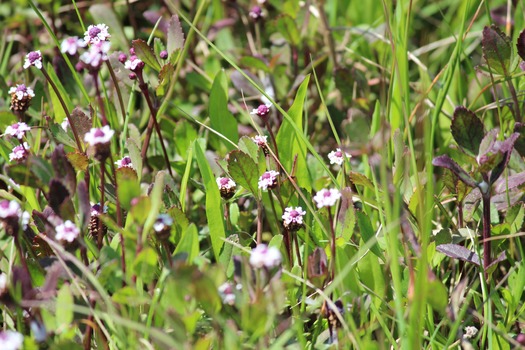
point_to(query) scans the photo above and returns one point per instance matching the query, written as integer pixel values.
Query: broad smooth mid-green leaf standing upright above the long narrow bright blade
(221, 119)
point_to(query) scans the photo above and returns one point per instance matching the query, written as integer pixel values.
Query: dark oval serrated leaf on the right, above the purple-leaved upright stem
(467, 130)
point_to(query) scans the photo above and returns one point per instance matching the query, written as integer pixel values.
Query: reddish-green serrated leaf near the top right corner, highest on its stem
(497, 50)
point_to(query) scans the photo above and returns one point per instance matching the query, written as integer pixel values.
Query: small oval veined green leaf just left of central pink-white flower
(243, 170)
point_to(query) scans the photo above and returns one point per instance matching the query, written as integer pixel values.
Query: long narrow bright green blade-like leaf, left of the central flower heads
(214, 212)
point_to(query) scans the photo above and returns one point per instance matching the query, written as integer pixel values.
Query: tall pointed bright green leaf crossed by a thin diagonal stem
(290, 144)
